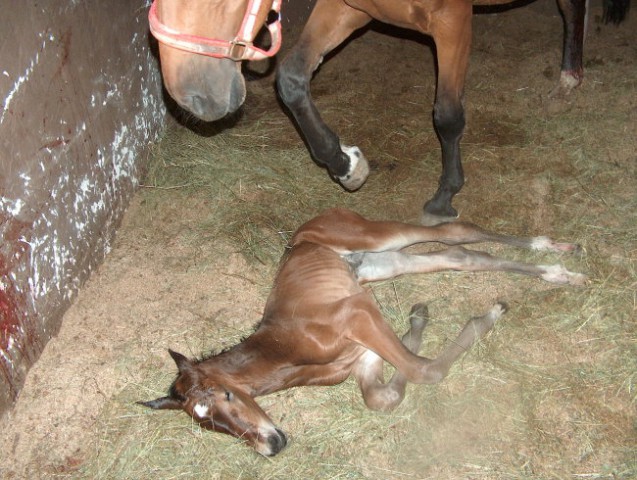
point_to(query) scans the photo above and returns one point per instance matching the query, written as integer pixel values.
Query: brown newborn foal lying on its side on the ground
(321, 326)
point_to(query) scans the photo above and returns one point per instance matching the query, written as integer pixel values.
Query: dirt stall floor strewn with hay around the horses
(549, 394)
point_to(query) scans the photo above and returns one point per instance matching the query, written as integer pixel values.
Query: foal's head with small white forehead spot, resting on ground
(221, 407)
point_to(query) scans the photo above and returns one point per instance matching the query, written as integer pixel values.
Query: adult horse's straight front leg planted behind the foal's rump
(451, 30)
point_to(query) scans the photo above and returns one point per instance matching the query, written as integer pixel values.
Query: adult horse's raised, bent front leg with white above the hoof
(330, 23)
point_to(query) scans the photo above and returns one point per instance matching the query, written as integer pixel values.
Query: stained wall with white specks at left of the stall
(81, 99)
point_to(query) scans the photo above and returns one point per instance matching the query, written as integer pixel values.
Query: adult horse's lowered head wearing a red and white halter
(201, 45)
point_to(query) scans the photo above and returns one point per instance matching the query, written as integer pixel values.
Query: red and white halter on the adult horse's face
(240, 48)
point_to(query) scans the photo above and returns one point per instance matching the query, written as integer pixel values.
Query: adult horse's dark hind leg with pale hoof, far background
(574, 13)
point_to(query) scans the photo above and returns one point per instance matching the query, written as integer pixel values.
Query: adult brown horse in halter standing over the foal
(200, 53)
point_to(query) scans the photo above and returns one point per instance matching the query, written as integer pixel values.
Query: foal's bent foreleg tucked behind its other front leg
(377, 394)
